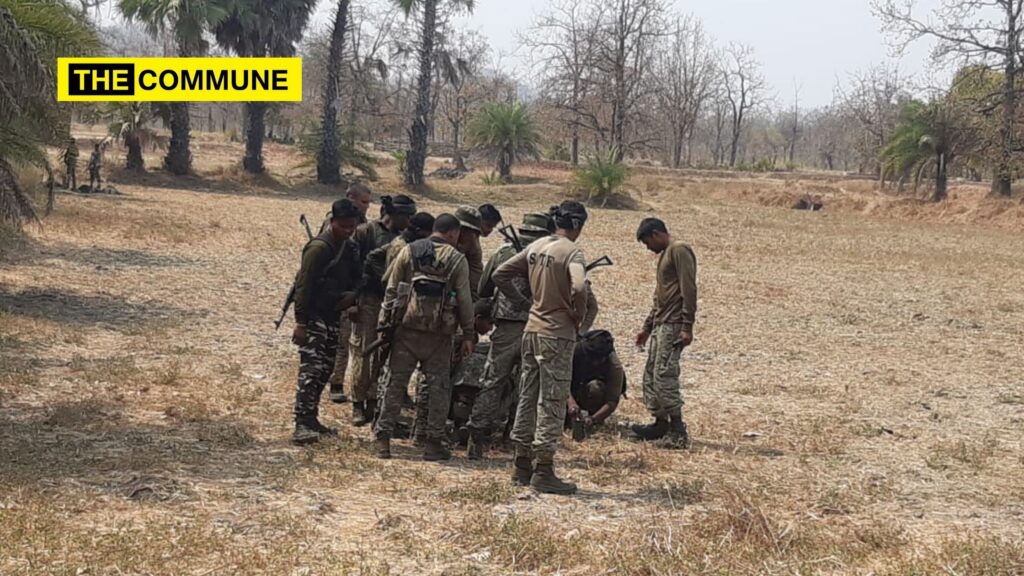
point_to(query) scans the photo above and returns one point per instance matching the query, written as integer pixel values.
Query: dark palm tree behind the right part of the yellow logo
(265, 28)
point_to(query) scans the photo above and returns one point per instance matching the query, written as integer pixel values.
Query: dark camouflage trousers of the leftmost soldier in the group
(316, 364)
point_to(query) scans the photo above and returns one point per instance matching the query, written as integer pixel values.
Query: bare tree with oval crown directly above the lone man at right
(685, 77)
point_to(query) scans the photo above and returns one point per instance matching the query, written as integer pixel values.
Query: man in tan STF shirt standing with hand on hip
(558, 276)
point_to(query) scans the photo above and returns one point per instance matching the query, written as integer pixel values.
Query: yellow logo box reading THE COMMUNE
(180, 79)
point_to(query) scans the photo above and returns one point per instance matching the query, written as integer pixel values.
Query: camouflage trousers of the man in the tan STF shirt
(544, 391)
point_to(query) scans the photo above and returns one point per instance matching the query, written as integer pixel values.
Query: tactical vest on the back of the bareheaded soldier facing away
(433, 304)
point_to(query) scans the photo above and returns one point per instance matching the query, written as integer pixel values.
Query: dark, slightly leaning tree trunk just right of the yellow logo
(328, 160)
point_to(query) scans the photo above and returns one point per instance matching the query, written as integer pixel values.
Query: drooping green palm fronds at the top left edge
(33, 34)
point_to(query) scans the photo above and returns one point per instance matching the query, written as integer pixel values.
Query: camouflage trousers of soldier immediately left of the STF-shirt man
(506, 353)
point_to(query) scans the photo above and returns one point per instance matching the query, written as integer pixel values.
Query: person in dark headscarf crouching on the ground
(599, 380)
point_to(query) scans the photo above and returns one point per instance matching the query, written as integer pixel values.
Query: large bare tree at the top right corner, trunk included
(971, 32)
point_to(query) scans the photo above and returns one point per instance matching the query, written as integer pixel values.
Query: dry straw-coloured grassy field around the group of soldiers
(857, 392)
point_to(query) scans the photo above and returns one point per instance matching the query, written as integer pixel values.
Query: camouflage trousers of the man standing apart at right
(661, 379)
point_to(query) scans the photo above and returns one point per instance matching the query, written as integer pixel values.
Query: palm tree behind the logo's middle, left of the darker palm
(188, 20)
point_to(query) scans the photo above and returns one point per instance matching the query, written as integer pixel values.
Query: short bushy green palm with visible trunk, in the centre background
(507, 133)
